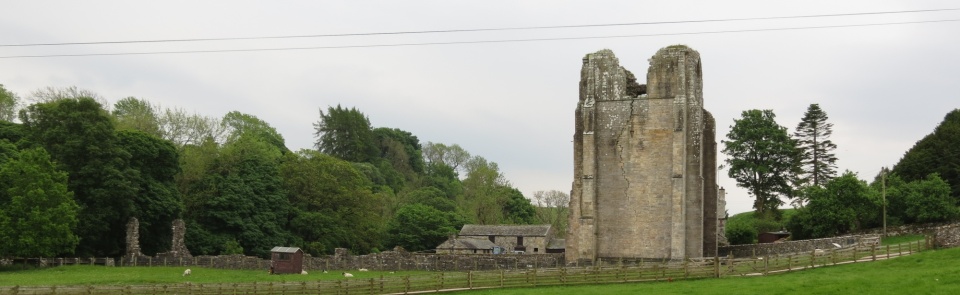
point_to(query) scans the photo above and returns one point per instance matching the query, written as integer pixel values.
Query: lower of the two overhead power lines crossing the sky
(476, 42)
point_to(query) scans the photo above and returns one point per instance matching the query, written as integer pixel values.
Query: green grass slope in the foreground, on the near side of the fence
(930, 272)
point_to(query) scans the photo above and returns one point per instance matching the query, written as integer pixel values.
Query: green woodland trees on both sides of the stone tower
(74, 169)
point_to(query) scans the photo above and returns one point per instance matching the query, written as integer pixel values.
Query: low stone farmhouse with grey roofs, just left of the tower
(503, 239)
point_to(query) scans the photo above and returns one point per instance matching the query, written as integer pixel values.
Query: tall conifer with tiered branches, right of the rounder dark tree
(818, 163)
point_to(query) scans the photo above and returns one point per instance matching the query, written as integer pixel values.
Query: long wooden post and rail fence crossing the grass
(710, 267)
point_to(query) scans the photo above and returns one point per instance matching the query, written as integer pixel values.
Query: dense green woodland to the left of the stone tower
(74, 170)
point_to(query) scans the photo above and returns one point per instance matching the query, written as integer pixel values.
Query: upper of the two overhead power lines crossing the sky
(478, 30)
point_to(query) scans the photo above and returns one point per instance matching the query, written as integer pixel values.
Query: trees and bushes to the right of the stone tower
(773, 165)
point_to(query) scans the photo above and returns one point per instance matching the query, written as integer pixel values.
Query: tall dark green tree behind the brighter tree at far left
(80, 136)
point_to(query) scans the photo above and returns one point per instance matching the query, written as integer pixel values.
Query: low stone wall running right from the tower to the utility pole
(755, 250)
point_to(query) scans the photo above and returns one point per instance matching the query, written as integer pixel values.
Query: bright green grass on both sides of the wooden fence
(929, 272)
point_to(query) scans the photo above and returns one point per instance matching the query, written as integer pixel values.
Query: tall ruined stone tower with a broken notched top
(644, 162)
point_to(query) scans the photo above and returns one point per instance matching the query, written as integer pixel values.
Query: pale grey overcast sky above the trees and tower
(884, 87)
